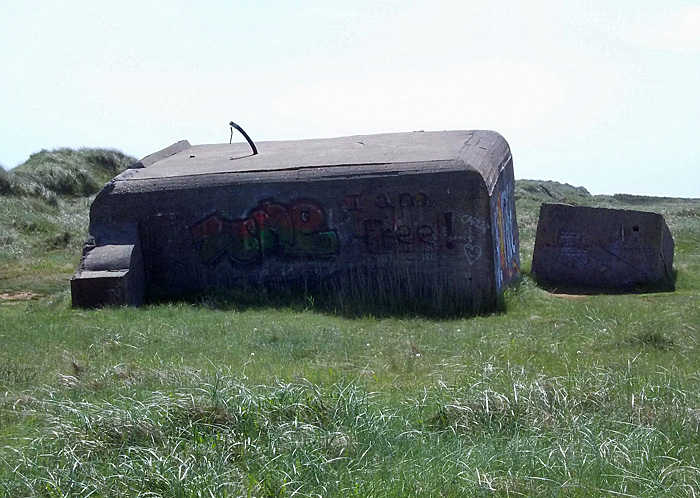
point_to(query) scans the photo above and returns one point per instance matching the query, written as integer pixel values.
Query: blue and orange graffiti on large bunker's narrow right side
(503, 213)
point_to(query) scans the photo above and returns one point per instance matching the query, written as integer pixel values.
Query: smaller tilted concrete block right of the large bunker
(602, 248)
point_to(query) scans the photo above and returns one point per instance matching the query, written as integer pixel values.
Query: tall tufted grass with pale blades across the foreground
(506, 433)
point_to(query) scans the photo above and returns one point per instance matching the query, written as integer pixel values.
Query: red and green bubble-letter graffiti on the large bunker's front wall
(298, 229)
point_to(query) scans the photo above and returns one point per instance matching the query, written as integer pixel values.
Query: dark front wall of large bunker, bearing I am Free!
(422, 239)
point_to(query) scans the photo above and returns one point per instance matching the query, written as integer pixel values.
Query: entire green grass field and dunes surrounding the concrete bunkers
(567, 396)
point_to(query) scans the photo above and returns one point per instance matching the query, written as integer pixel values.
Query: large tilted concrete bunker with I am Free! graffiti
(422, 218)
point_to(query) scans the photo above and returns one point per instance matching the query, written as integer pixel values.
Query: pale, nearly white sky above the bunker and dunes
(603, 94)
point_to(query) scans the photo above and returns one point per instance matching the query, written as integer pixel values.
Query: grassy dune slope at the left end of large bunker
(44, 206)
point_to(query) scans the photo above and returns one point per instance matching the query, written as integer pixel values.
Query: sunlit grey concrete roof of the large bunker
(485, 152)
